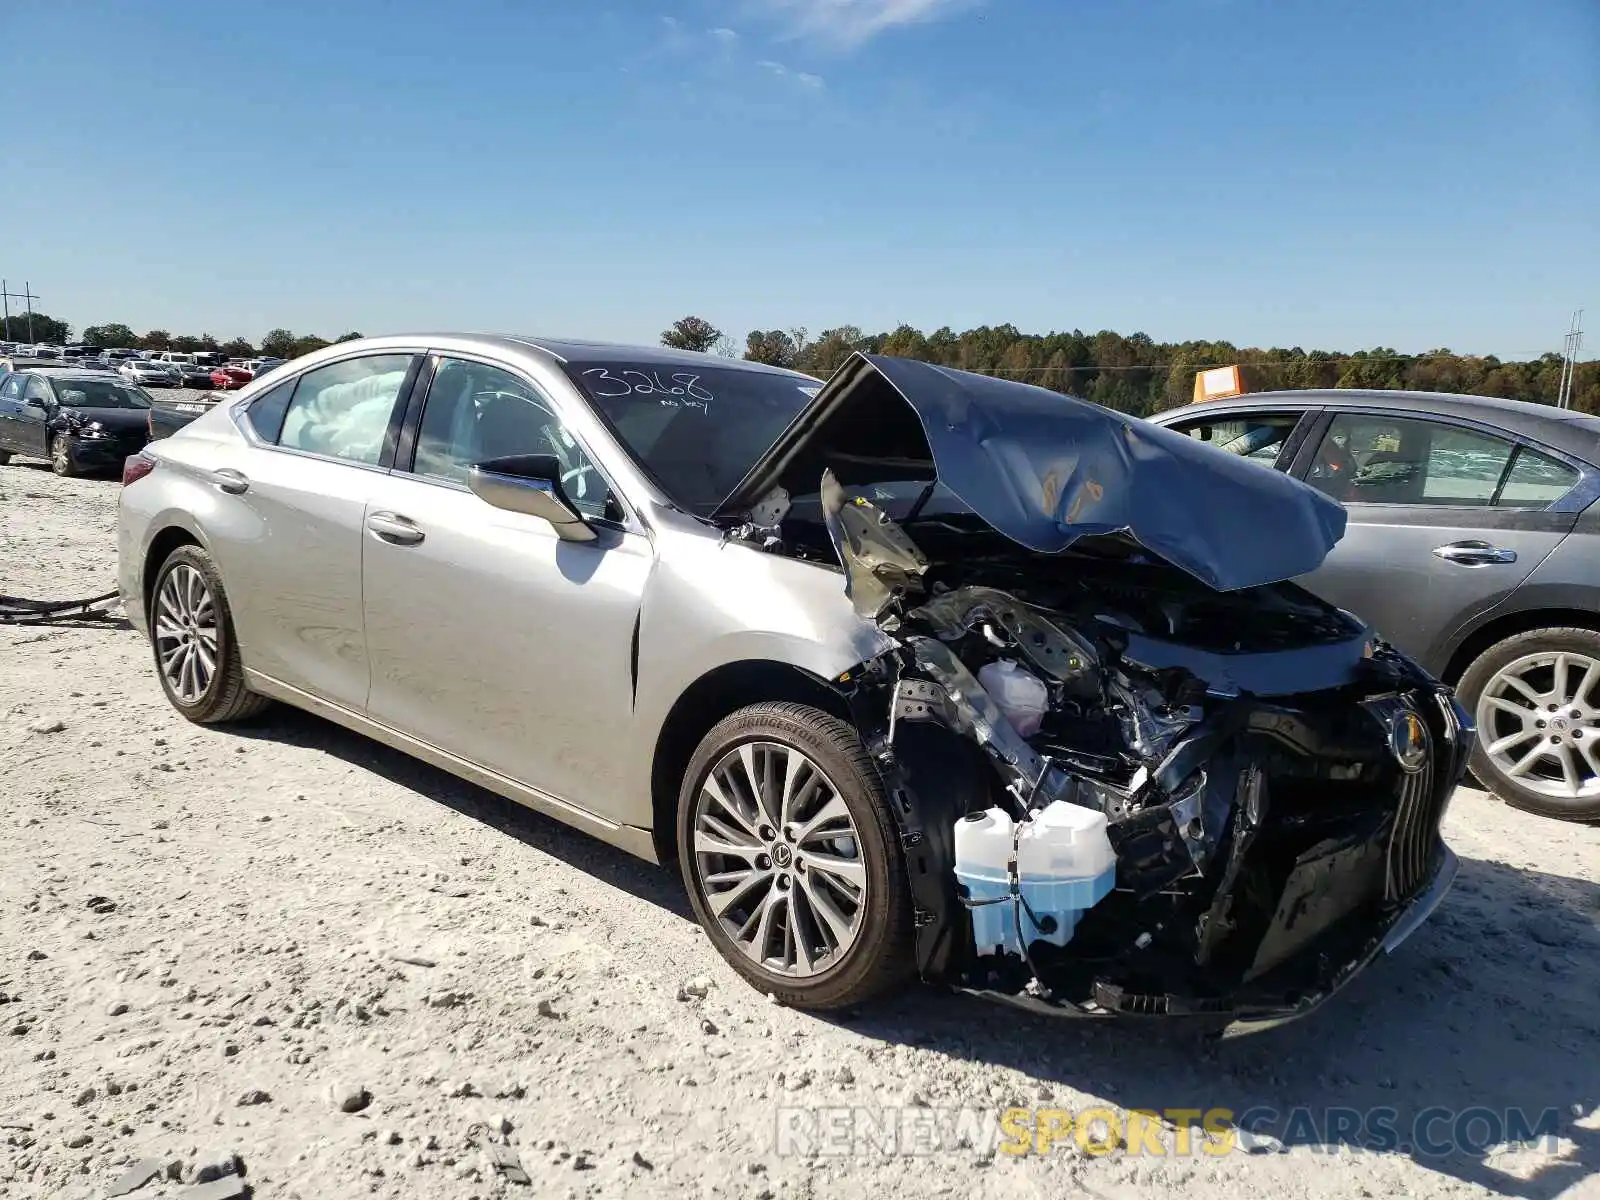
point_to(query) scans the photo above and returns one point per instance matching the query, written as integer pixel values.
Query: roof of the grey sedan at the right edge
(1561, 428)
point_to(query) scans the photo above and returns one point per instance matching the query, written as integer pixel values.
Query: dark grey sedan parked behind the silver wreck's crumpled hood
(1471, 545)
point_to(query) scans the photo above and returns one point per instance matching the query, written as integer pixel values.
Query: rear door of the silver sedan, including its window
(289, 529)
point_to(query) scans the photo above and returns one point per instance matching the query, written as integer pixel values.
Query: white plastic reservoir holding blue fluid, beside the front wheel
(1065, 866)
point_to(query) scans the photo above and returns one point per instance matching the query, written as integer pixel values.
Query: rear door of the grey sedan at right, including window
(1446, 521)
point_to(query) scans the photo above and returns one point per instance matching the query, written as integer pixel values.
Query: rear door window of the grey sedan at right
(1383, 460)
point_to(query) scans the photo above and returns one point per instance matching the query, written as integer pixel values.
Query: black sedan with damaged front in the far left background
(79, 420)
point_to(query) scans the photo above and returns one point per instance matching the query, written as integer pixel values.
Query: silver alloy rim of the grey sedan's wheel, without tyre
(1540, 724)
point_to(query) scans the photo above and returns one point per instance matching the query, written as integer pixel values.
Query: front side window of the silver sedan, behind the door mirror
(476, 414)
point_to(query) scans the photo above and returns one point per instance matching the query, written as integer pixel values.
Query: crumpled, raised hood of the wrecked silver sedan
(1047, 470)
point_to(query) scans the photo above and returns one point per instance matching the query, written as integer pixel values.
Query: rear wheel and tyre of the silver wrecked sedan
(193, 638)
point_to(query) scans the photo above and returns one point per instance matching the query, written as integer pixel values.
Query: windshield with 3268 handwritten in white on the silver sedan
(695, 430)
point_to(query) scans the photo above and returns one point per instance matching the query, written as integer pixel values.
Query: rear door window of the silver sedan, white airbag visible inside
(343, 410)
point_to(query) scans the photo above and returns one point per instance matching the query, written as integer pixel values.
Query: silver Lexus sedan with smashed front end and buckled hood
(913, 674)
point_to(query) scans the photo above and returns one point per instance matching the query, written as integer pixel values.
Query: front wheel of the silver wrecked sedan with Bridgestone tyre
(791, 858)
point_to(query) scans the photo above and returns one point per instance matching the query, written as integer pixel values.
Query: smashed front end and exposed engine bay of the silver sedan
(1228, 798)
